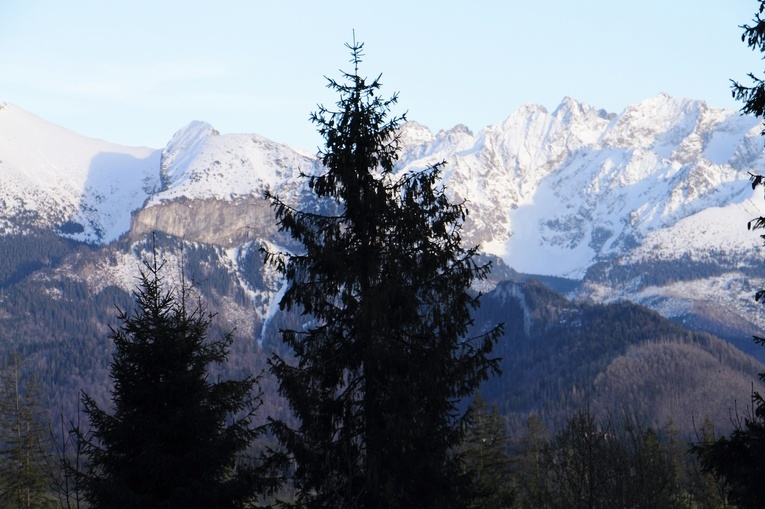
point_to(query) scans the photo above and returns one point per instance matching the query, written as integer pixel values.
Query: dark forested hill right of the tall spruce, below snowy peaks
(560, 356)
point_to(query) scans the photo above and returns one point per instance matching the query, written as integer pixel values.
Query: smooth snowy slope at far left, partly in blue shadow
(52, 177)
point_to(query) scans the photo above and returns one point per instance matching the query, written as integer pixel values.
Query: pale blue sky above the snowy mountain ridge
(134, 73)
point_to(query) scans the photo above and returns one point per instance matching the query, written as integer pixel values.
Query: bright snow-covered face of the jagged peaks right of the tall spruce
(552, 193)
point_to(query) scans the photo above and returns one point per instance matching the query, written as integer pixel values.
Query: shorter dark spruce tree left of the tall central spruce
(174, 438)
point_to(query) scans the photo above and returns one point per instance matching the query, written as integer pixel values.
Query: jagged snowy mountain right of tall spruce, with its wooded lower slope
(650, 205)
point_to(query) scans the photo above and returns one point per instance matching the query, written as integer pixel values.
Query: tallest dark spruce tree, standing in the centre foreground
(386, 357)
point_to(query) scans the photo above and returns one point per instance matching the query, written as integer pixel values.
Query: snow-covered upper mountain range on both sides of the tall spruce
(578, 192)
